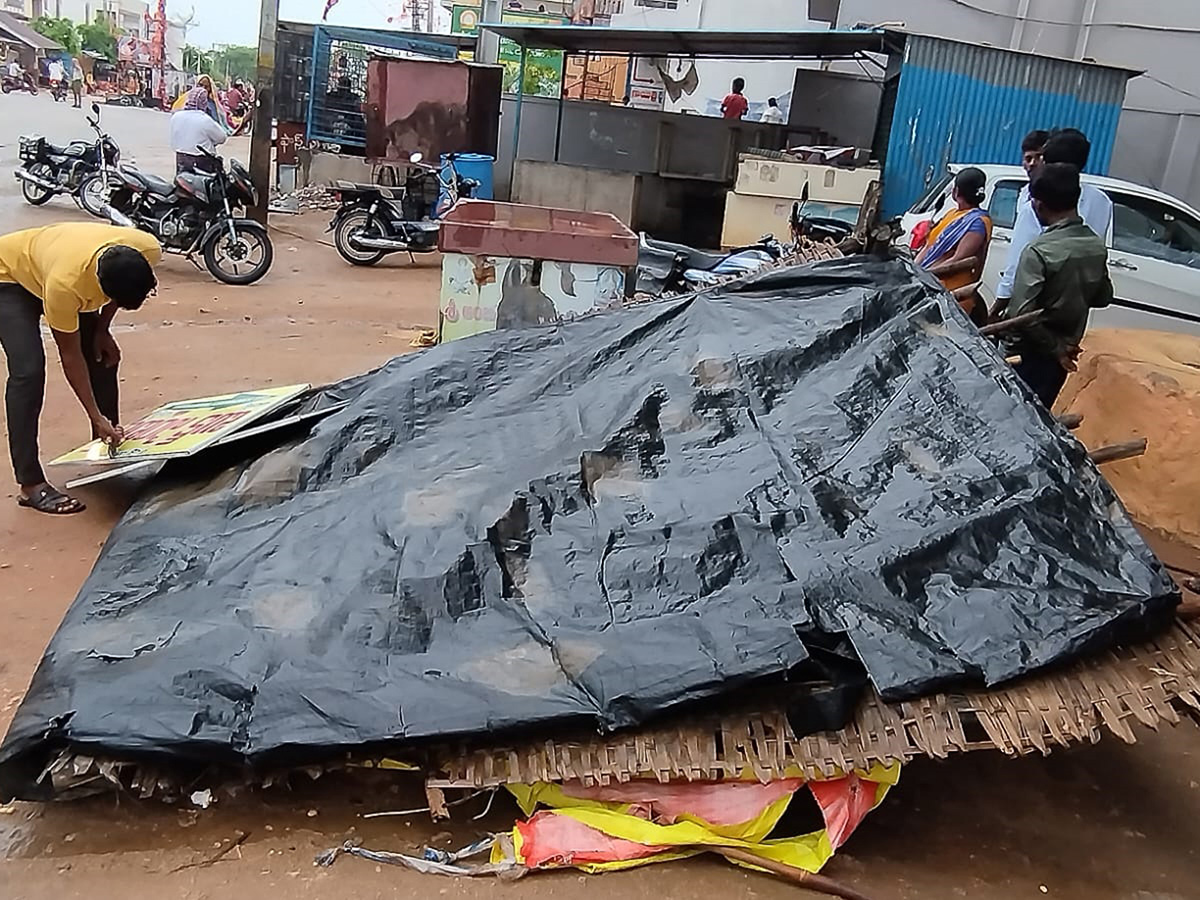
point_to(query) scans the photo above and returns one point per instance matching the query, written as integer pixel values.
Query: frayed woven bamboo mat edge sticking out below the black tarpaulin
(1147, 685)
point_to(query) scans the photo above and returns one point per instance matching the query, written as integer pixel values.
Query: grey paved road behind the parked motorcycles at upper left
(141, 134)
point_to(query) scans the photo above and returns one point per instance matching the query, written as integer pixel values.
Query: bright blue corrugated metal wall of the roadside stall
(958, 103)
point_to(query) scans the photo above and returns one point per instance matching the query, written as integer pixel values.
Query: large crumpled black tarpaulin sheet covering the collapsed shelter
(596, 521)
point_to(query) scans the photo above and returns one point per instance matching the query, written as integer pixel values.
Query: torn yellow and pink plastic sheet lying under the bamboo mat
(622, 826)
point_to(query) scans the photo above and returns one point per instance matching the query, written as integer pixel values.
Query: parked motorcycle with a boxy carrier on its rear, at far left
(86, 171)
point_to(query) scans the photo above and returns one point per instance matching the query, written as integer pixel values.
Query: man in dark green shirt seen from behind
(1065, 274)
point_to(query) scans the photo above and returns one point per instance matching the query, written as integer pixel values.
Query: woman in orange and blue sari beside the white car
(957, 248)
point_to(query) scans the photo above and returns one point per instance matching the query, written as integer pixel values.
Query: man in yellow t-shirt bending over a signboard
(77, 277)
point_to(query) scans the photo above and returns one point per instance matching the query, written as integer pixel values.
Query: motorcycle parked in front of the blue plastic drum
(375, 220)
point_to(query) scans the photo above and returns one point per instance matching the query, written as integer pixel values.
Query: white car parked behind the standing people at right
(1154, 247)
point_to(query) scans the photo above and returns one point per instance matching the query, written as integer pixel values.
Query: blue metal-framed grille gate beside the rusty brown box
(339, 85)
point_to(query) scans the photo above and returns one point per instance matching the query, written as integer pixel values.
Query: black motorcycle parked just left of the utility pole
(200, 213)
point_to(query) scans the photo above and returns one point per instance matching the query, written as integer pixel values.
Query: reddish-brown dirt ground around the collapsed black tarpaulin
(1107, 823)
